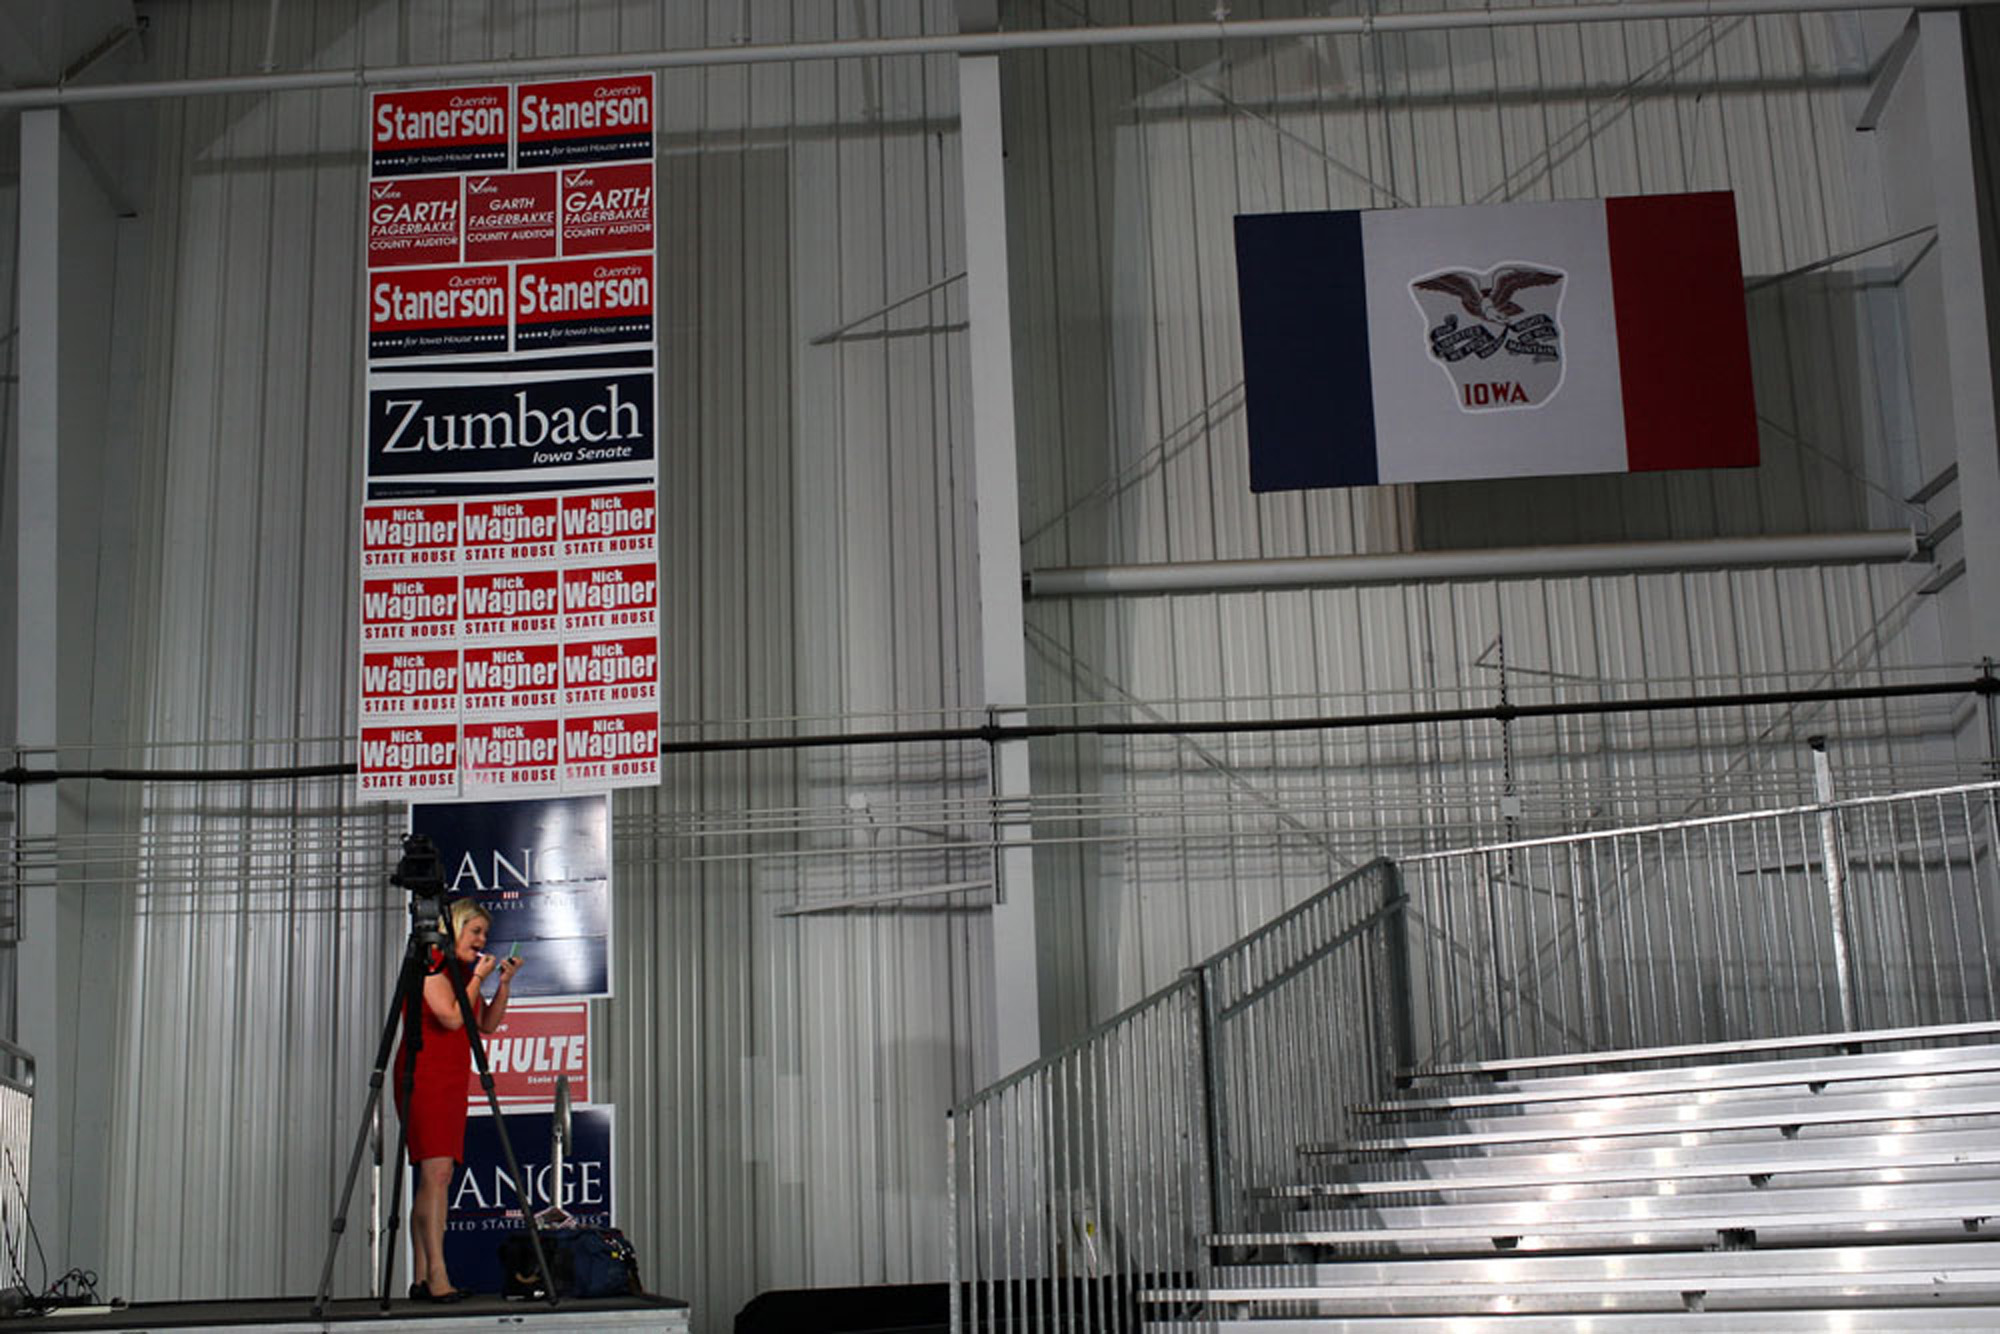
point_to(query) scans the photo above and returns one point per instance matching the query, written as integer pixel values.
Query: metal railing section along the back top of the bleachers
(1867, 913)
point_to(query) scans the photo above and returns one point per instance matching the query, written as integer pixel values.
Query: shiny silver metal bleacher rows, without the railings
(1811, 1183)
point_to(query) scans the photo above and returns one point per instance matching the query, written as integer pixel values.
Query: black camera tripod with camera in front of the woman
(421, 875)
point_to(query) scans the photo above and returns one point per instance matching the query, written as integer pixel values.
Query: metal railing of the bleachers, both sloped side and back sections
(1101, 1171)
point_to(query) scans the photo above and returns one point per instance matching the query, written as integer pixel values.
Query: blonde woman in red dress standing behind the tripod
(435, 1113)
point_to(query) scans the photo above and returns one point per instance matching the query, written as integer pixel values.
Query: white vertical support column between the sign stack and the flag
(1003, 643)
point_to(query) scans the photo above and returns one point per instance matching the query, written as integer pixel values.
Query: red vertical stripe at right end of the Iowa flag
(1683, 339)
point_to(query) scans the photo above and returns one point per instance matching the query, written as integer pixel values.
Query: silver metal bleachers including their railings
(1737, 1073)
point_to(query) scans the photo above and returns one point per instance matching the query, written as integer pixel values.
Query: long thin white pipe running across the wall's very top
(961, 45)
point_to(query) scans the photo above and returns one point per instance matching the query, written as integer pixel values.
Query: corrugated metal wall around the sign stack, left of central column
(779, 1079)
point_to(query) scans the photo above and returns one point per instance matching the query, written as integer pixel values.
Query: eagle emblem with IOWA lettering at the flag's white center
(1495, 335)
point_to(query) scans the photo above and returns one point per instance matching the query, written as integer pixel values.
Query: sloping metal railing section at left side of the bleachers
(1101, 1171)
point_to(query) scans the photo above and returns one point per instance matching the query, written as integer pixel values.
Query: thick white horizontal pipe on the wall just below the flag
(1821, 549)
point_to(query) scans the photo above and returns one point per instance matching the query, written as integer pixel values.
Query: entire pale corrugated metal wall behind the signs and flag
(781, 1079)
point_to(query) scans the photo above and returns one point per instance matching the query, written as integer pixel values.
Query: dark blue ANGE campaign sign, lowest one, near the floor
(485, 1205)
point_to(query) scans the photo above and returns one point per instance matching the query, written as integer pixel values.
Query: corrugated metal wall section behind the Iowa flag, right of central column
(1125, 173)
